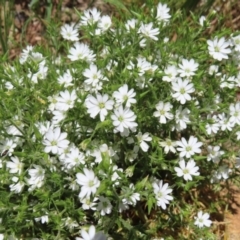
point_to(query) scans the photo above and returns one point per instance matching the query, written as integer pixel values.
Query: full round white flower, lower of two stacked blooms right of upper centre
(181, 89)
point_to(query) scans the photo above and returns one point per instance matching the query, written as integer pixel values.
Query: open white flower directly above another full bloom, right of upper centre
(187, 68)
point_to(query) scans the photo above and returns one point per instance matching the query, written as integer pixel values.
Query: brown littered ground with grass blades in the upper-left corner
(27, 25)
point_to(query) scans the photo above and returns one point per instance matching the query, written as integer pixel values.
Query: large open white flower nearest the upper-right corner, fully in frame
(218, 48)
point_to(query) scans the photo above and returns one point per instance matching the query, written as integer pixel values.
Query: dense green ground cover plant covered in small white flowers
(120, 128)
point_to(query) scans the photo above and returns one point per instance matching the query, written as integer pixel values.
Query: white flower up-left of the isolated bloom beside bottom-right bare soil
(162, 192)
